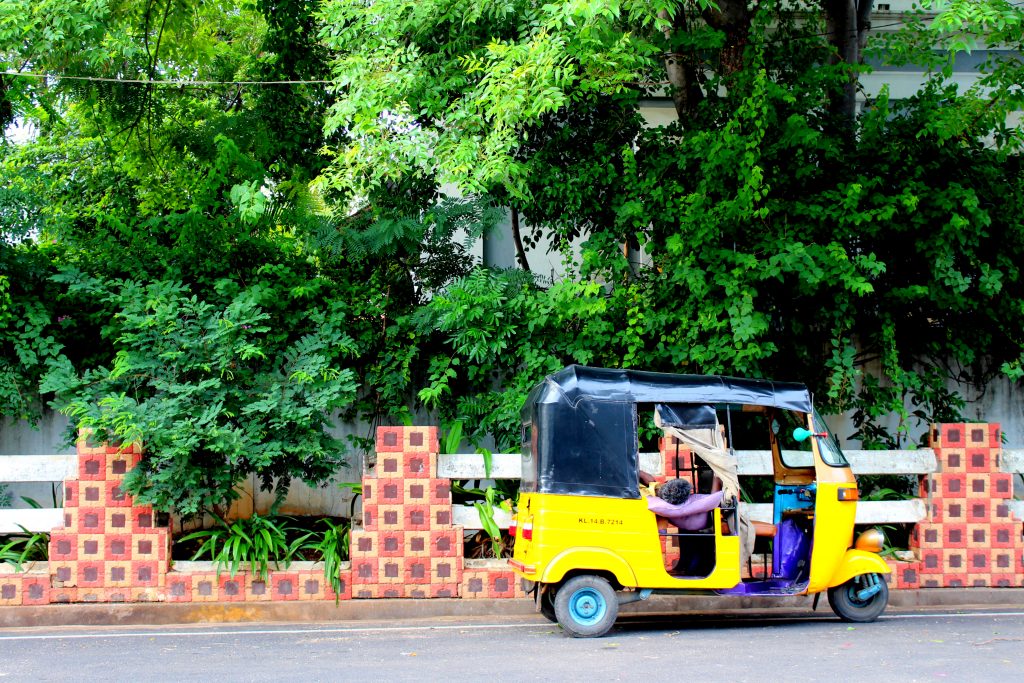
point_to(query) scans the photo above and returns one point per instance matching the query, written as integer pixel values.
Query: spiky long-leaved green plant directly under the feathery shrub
(254, 544)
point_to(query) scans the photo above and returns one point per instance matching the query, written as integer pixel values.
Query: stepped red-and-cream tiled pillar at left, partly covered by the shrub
(109, 549)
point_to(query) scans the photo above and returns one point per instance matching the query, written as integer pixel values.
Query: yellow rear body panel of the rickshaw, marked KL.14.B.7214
(618, 536)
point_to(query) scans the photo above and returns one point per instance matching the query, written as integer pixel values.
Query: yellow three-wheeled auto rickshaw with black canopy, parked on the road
(590, 541)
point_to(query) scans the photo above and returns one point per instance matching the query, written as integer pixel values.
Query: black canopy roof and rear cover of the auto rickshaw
(580, 424)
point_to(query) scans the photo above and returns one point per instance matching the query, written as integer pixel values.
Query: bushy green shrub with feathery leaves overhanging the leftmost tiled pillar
(216, 392)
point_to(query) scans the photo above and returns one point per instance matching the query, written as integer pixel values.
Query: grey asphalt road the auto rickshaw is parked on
(902, 647)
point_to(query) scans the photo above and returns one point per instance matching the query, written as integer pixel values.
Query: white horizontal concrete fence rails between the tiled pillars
(507, 466)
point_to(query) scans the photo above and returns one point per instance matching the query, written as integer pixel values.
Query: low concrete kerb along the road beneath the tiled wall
(152, 614)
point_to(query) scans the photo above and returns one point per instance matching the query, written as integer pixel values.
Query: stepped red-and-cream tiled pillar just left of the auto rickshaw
(407, 546)
